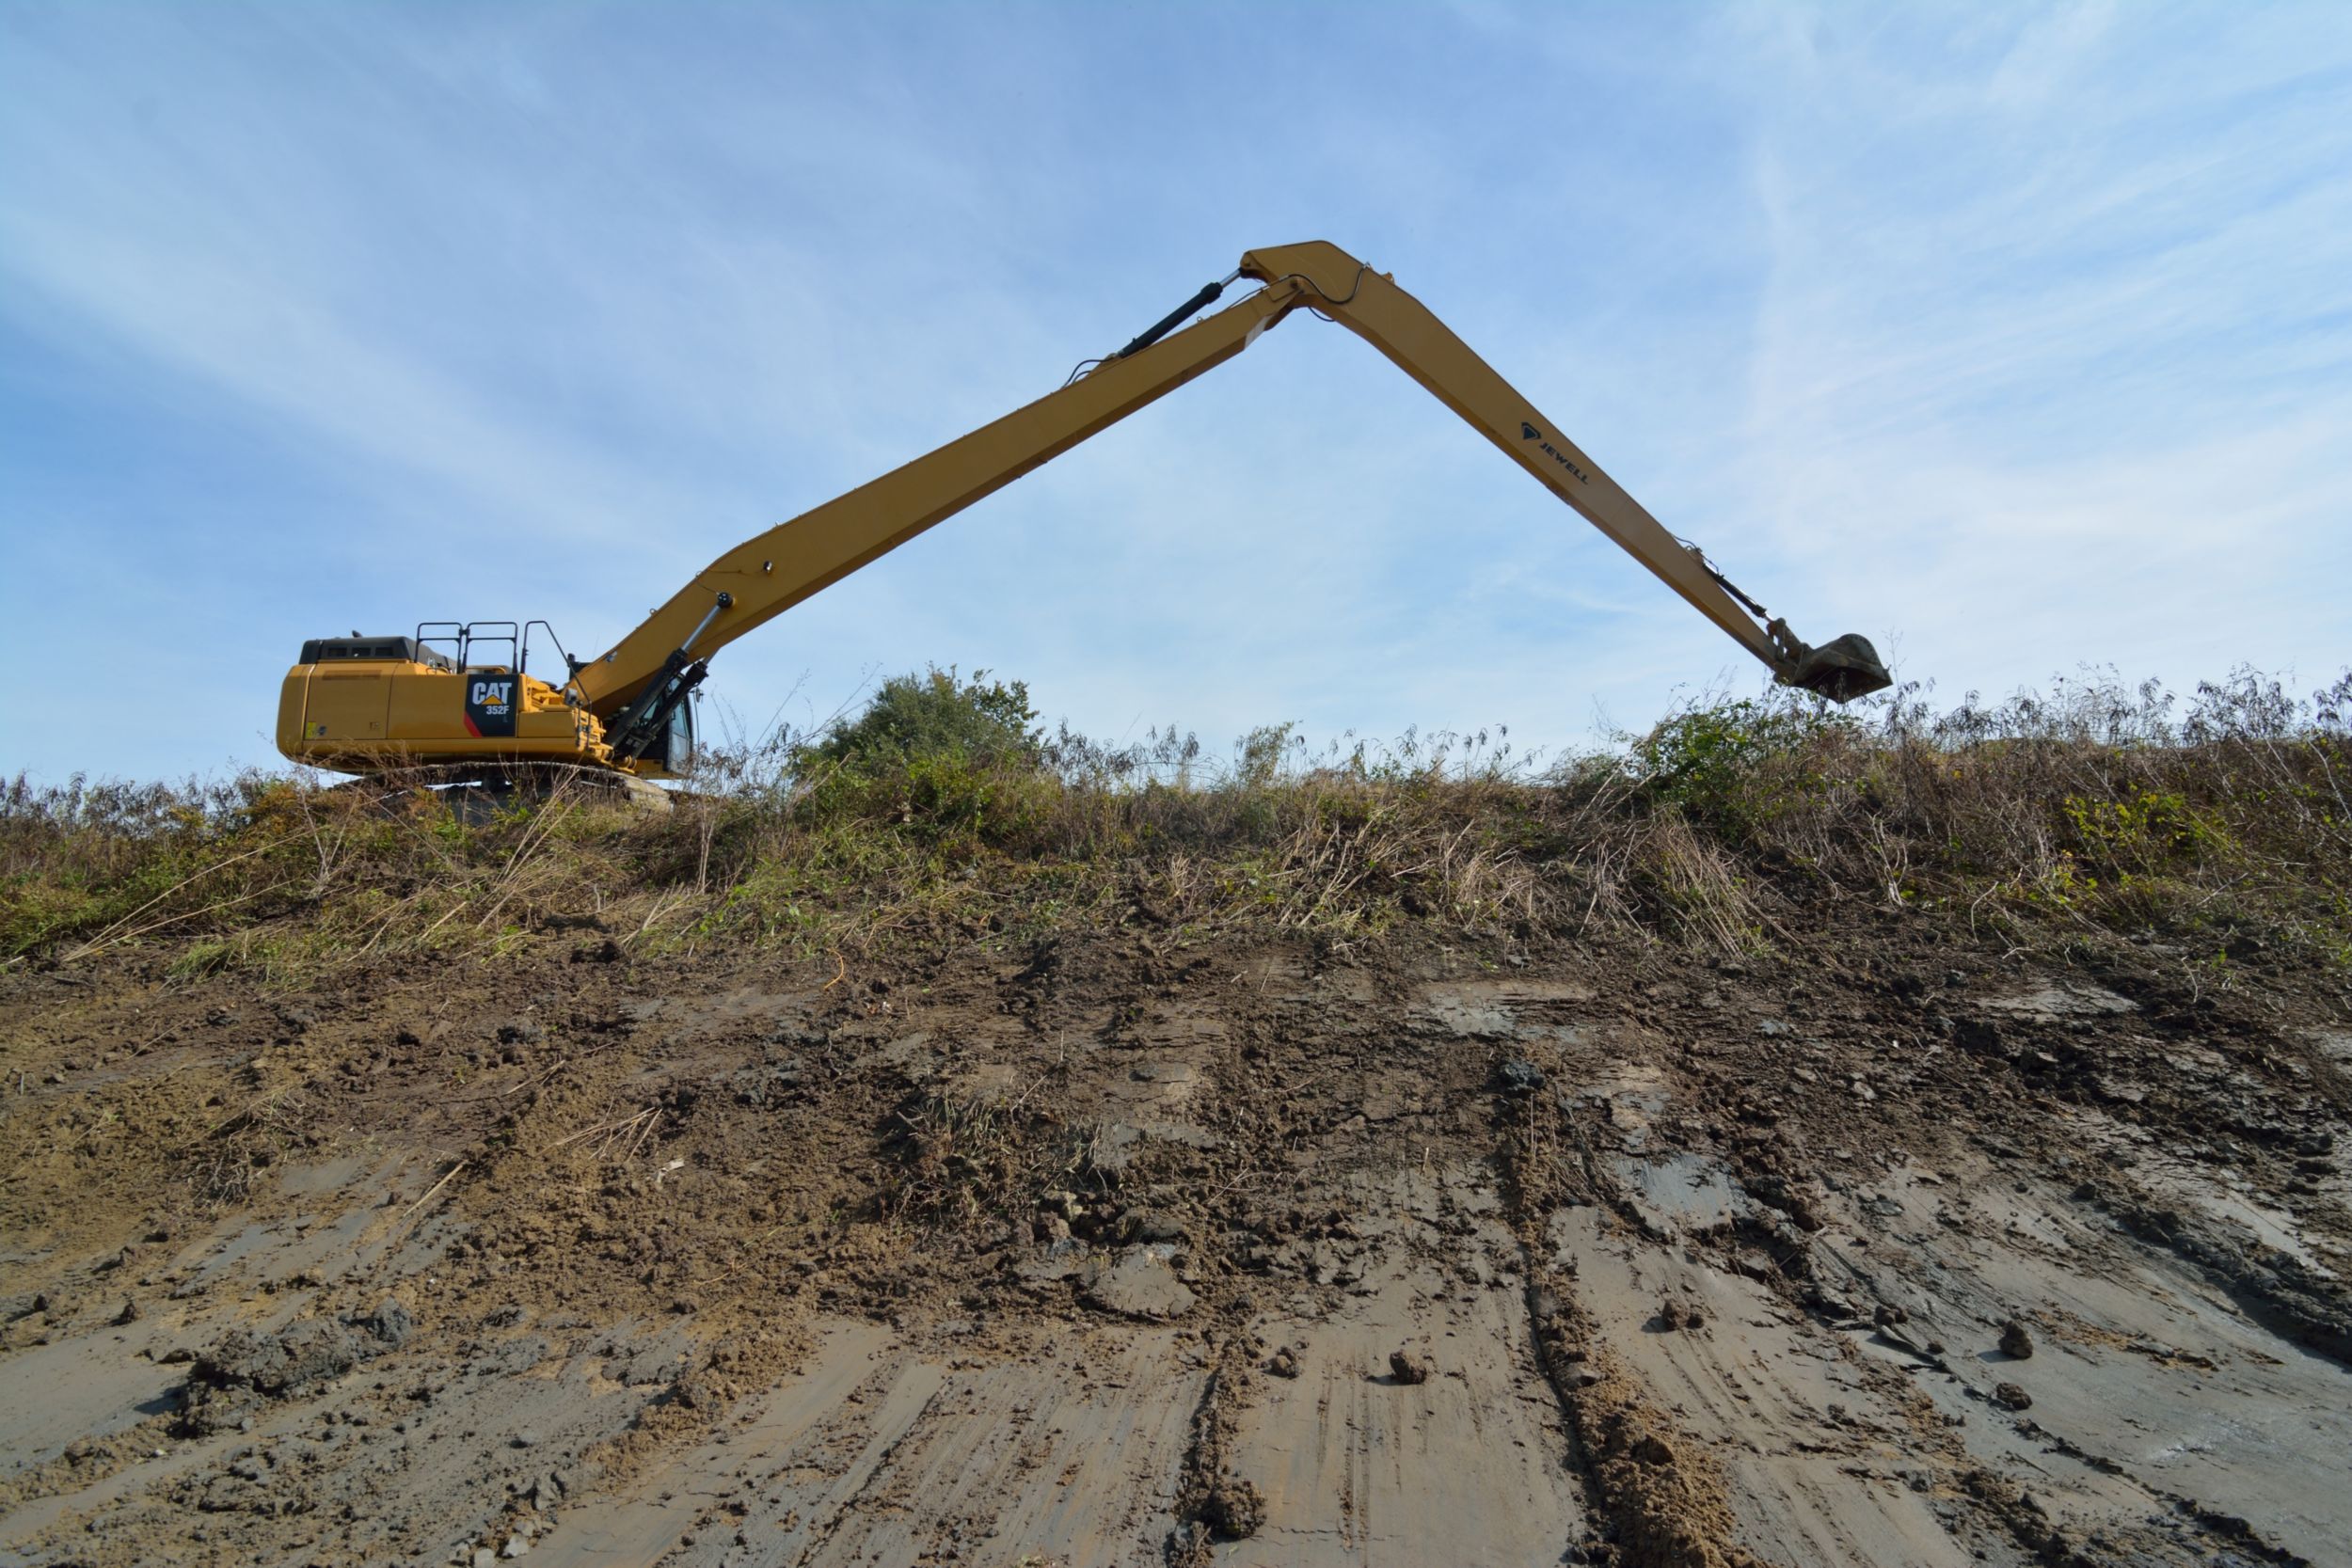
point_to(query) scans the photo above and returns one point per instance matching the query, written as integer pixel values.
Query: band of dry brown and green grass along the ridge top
(2094, 808)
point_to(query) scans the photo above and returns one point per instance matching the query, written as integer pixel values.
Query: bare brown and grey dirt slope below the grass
(1125, 1249)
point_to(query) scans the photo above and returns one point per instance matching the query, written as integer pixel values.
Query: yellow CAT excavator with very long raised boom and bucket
(457, 704)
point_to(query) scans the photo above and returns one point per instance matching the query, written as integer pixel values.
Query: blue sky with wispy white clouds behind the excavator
(2017, 340)
